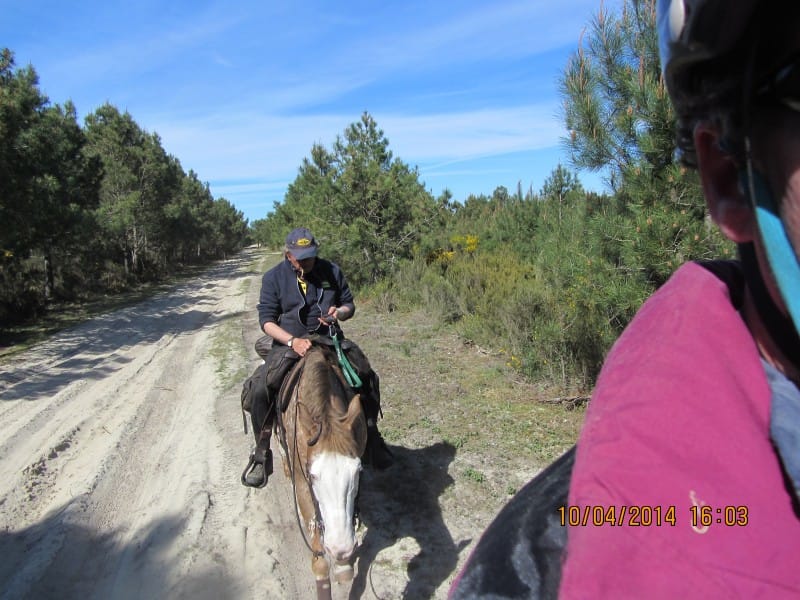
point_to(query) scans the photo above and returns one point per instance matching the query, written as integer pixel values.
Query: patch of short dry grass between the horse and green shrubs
(437, 388)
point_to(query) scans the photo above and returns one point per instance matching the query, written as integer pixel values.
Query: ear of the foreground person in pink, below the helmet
(719, 174)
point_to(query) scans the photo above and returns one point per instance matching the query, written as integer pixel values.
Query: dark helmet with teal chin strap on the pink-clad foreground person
(713, 55)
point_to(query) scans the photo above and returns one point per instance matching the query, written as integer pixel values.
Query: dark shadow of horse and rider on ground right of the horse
(403, 502)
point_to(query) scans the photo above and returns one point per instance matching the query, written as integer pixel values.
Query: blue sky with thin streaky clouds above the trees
(239, 91)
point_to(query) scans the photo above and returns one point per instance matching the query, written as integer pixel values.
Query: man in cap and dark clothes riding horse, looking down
(303, 297)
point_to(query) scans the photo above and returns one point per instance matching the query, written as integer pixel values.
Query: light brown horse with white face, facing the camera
(322, 439)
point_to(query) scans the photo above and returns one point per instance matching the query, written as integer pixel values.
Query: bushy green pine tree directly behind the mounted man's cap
(366, 207)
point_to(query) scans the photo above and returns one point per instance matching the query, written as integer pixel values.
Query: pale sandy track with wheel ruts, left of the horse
(120, 453)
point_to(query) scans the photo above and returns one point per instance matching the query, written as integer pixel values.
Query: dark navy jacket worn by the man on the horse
(282, 302)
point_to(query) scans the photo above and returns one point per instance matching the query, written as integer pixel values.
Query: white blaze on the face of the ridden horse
(335, 481)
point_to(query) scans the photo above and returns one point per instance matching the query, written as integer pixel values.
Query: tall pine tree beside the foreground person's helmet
(620, 120)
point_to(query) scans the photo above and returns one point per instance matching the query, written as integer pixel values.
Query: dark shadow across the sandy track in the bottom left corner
(61, 557)
